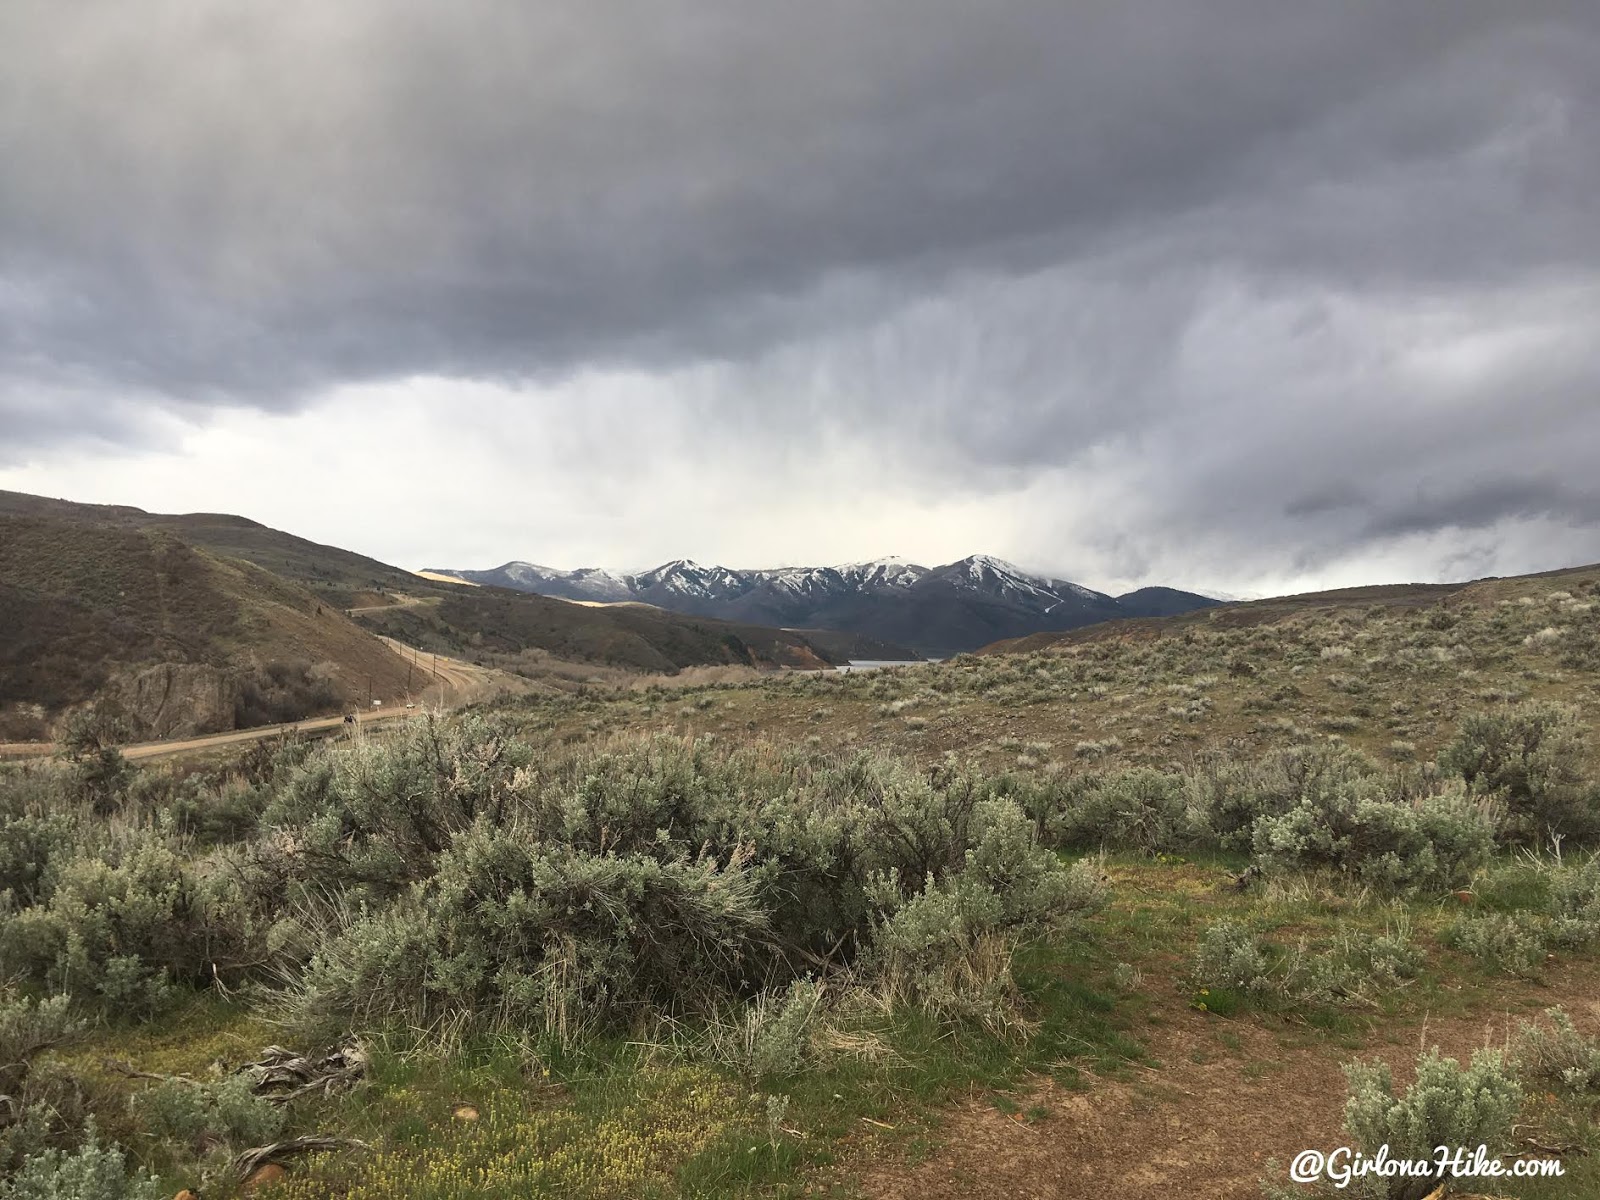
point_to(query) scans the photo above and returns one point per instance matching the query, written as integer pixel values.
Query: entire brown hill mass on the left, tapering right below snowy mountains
(94, 599)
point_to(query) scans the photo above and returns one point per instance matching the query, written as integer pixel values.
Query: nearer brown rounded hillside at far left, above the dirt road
(167, 636)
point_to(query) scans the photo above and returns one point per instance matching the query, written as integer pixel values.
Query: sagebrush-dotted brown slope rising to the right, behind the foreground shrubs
(1385, 670)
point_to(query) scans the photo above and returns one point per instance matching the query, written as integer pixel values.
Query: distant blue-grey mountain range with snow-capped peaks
(938, 610)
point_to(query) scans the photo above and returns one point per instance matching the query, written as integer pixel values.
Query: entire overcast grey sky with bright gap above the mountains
(1236, 295)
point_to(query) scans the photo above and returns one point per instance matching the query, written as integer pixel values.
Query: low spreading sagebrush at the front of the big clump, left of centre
(542, 935)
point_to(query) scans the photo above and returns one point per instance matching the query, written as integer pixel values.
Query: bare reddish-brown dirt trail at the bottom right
(1226, 1098)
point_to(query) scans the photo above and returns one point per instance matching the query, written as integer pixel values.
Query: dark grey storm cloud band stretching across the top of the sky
(212, 201)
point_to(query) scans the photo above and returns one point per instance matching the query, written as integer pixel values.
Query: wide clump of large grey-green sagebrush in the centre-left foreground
(662, 878)
